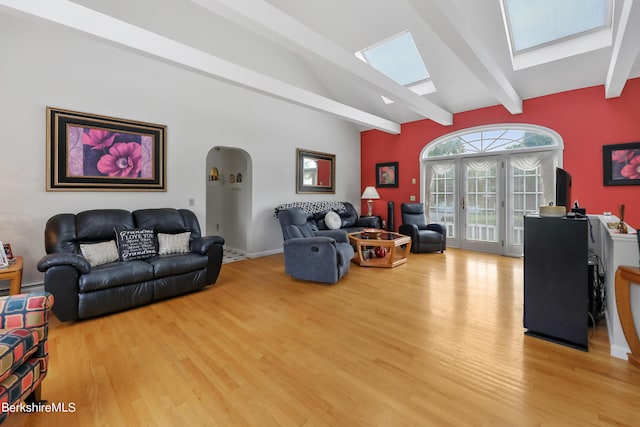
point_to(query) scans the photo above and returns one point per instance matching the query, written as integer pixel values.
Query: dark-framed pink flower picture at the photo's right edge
(621, 164)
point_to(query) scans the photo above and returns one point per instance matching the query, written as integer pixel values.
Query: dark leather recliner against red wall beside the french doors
(424, 237)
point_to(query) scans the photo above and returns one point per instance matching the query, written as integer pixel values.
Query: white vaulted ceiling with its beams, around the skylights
(463, 43)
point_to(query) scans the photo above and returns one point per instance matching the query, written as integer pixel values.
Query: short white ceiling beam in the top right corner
(625, 49)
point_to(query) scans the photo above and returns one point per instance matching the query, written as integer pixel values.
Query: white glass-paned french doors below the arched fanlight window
(482, 200)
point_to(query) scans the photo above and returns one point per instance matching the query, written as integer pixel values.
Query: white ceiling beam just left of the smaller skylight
(270, 22)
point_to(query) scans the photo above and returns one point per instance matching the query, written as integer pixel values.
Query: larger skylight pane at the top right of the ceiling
(536, 23)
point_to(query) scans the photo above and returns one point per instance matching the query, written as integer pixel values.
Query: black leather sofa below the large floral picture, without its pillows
(82, 291)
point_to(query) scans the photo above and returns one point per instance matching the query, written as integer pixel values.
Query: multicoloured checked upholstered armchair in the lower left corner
(24, 355)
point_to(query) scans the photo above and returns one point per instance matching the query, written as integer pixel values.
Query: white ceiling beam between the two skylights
(443, 17)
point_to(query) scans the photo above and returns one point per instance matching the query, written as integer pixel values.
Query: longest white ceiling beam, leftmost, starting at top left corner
(105, 27)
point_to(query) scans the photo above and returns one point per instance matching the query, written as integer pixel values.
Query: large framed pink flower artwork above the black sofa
(86, 152)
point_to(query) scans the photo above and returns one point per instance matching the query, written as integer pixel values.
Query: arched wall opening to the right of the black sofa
(229, 191)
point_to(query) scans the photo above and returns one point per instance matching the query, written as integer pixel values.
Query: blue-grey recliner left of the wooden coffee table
(310, 254)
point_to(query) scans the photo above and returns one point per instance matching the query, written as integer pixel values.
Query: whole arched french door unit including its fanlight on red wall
(480, 182)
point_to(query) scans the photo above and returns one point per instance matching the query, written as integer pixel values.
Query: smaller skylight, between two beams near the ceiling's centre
(398, 58)
